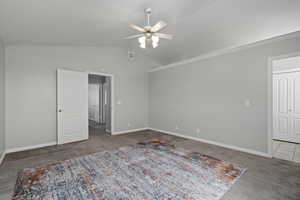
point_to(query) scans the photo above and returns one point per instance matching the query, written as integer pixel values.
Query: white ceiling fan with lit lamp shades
(149, 36)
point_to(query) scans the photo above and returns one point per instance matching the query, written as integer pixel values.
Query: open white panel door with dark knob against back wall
(72, 106)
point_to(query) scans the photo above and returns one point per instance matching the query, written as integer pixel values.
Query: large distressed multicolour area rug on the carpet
(146, 171)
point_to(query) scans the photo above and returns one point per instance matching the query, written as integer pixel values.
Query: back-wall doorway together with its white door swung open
(83, 111)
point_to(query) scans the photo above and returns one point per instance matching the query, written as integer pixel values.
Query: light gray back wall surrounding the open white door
(31, 88)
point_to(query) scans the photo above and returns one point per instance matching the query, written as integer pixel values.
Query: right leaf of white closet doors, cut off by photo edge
(295, 106)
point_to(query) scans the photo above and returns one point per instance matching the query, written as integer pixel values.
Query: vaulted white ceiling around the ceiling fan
(198, 26)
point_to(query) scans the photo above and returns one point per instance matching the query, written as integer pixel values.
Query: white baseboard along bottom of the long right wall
(215, 143)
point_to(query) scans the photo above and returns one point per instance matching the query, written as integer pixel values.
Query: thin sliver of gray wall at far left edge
(2, 136)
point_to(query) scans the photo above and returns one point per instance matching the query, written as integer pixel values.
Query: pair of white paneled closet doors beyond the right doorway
(286, 101)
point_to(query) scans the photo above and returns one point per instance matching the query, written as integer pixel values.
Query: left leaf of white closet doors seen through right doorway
(281, 110)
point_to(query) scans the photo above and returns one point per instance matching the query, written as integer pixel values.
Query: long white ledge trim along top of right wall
(227, 50)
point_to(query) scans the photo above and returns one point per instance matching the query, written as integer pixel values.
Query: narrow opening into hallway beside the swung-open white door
(99, 104)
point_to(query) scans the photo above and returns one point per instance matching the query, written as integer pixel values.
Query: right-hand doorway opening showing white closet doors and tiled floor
(286, 108)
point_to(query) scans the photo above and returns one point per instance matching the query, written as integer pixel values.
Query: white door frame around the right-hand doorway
(270, 96)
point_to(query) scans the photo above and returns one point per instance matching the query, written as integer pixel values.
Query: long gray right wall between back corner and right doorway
(211, 95)
